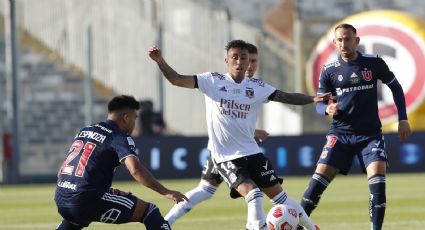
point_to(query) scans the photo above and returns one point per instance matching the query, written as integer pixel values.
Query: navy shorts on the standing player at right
(340, 150)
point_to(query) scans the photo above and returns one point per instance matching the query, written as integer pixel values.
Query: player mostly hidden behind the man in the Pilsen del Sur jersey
(210, 178)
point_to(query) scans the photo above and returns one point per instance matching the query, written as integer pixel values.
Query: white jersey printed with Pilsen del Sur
(231, 113)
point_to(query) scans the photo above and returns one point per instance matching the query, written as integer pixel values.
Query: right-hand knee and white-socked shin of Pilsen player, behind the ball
(278, 196)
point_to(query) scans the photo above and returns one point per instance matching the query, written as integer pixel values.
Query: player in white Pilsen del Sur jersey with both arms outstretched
(233, 103)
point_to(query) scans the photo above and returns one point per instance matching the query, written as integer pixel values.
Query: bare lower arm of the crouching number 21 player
(143, 176)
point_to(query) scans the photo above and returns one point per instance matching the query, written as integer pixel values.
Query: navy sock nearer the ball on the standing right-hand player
(313, 193)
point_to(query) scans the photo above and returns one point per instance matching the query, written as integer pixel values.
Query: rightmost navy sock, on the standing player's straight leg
(377, 201)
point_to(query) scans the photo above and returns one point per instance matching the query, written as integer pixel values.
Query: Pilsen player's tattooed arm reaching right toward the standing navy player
(297, 98)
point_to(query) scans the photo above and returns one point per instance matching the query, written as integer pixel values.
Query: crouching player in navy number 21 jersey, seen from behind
(84, 193)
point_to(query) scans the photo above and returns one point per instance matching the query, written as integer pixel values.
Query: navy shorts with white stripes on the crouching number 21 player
(114, 207)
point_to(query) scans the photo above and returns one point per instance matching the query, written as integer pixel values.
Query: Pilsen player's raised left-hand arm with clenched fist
(172, 76)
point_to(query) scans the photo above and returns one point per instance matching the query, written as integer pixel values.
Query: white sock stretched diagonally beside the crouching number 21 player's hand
(203, 191)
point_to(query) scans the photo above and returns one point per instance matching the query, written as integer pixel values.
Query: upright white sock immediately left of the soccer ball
(256, 215)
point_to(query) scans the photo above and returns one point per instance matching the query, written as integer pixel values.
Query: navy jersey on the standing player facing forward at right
(354, 84)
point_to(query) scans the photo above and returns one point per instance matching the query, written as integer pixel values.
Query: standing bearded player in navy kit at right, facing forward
(356, 128)
